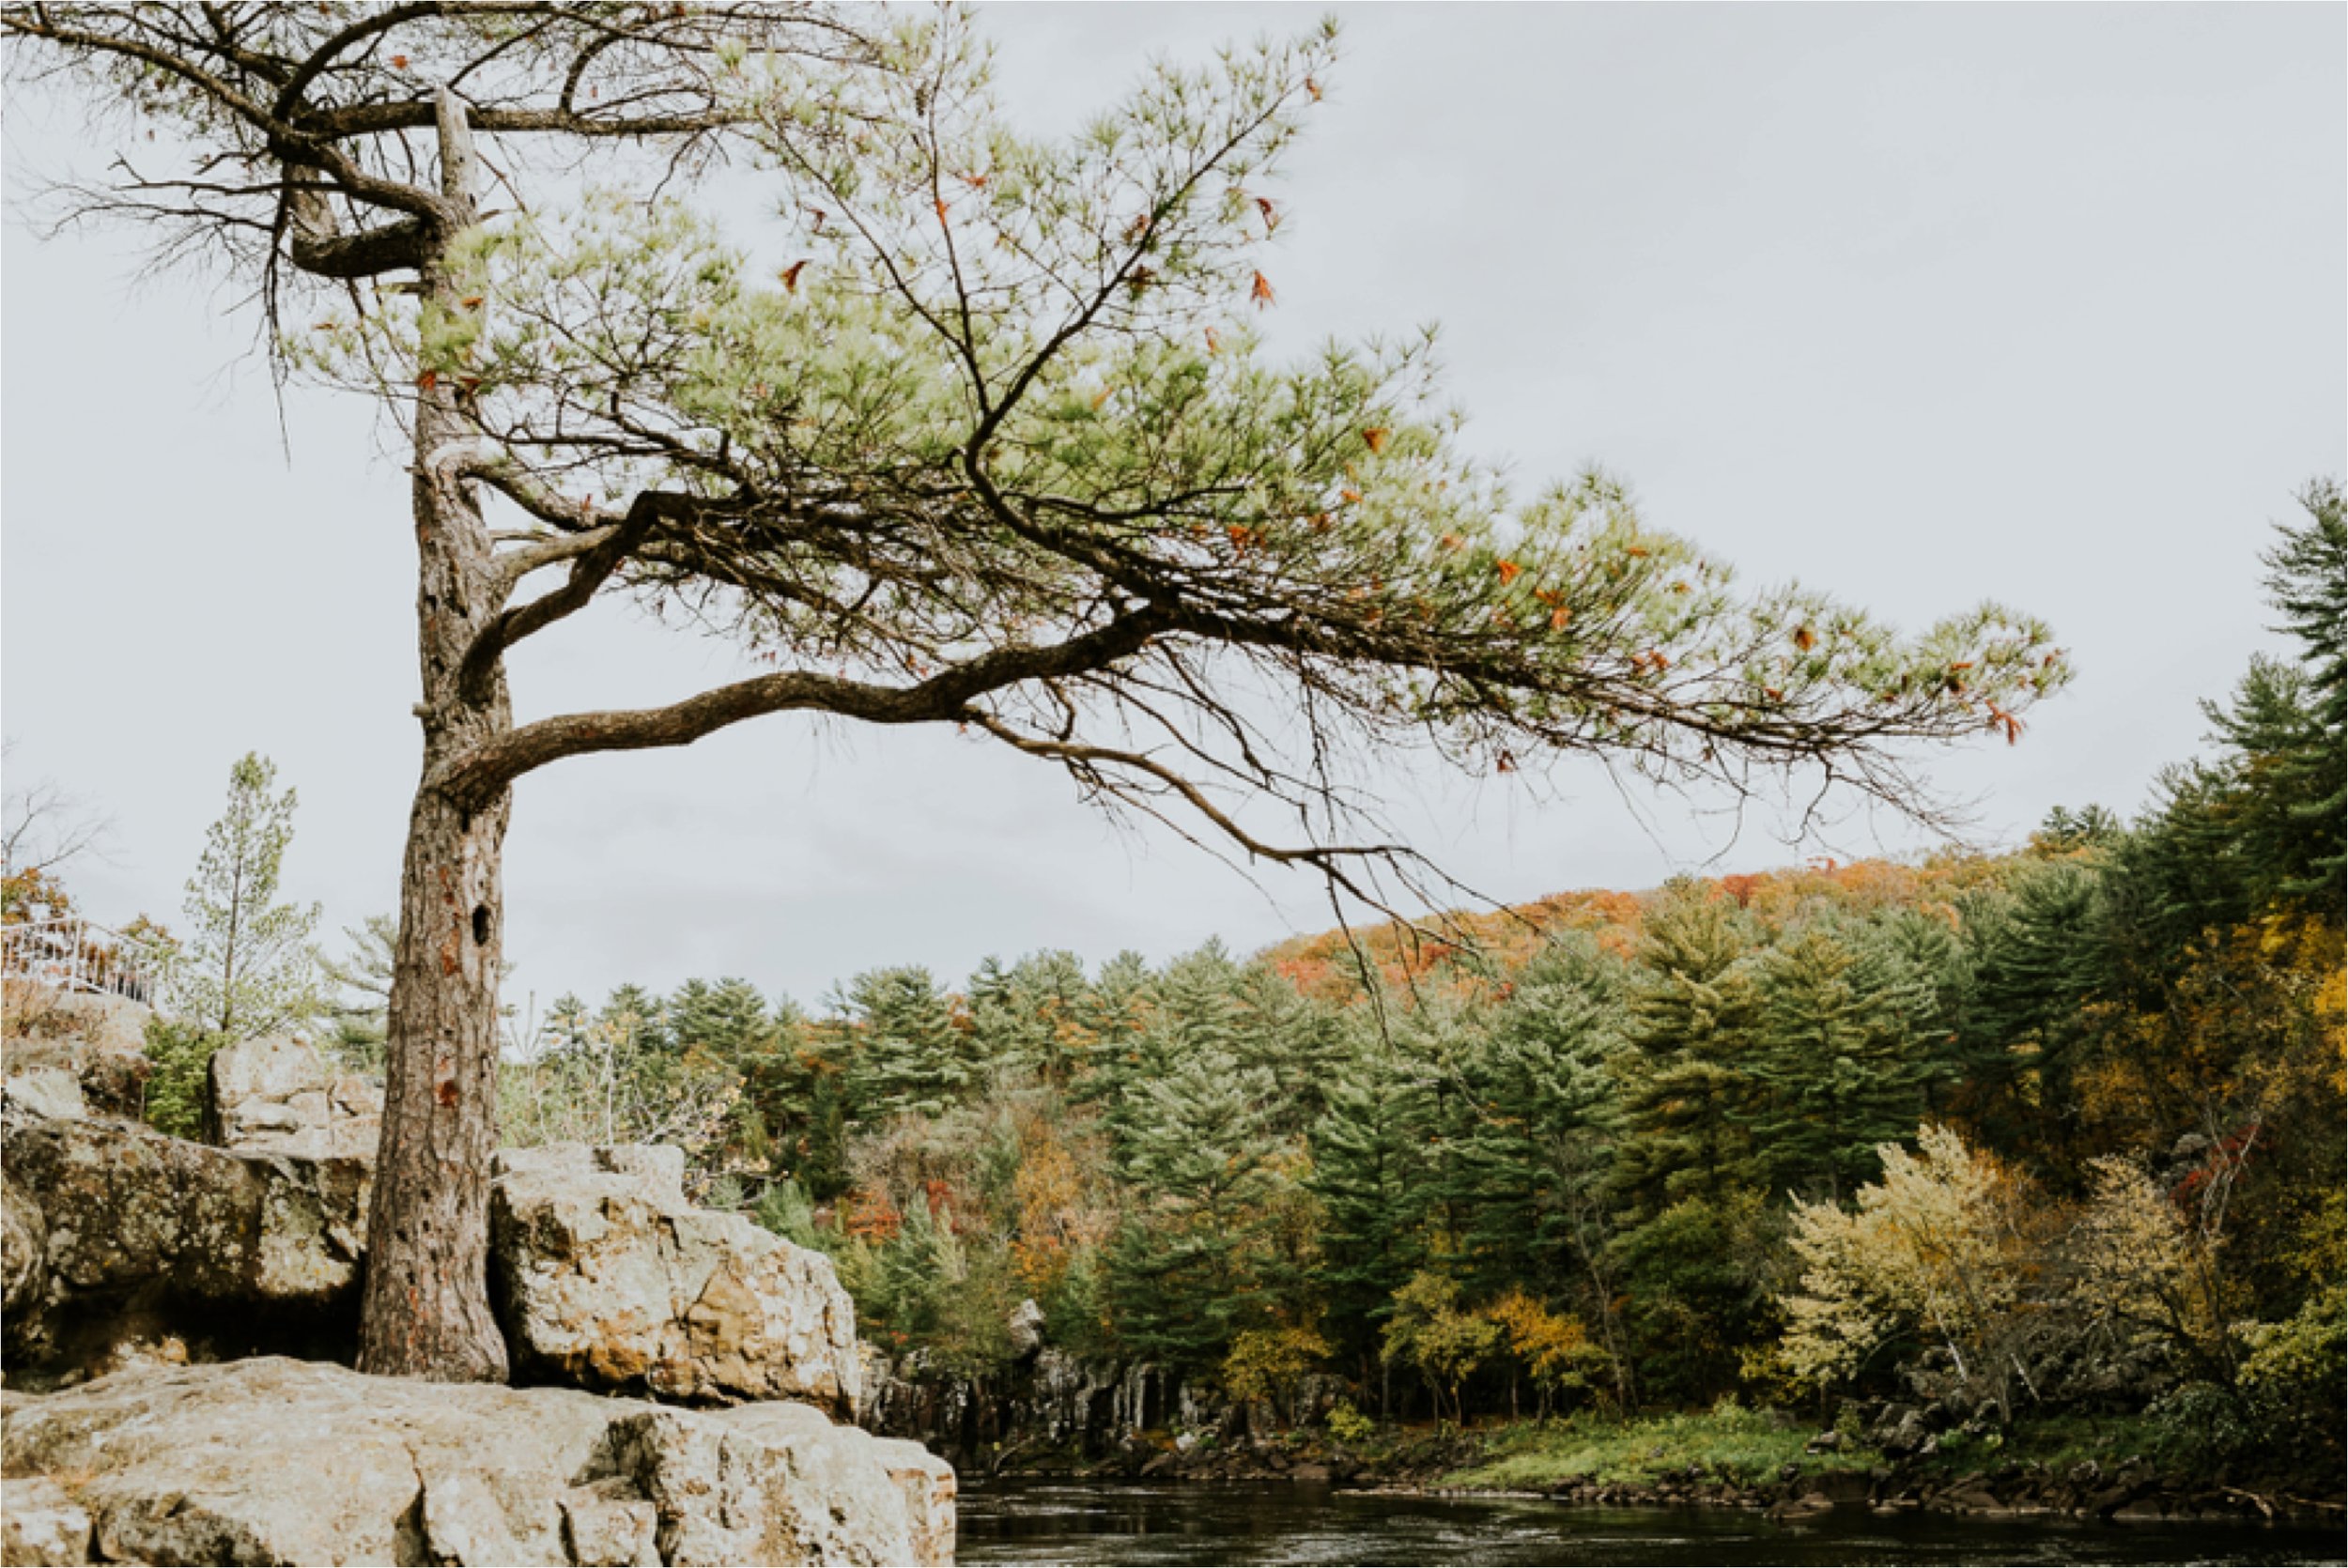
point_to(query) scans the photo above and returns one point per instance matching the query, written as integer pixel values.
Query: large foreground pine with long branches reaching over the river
(987, 445)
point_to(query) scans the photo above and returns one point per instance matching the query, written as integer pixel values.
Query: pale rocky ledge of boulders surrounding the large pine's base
(177, 1316)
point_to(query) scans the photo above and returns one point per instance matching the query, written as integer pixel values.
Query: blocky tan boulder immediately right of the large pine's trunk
(607, 1278)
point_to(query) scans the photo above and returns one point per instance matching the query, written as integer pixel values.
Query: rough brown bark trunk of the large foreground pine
(426, 1304)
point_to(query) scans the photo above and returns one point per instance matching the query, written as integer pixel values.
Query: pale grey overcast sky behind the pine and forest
(1919, 306)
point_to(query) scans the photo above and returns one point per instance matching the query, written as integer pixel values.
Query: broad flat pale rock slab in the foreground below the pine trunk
(278, 1461)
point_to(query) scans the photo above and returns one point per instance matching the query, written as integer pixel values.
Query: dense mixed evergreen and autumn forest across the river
(2056, 1130)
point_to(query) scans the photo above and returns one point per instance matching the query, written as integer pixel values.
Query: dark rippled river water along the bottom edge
(1072, 1522)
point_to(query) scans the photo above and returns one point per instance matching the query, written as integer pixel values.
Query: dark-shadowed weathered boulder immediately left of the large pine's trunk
(119, 1241)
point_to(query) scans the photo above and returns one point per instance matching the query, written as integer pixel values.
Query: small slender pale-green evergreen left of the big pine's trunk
(245, 966)
